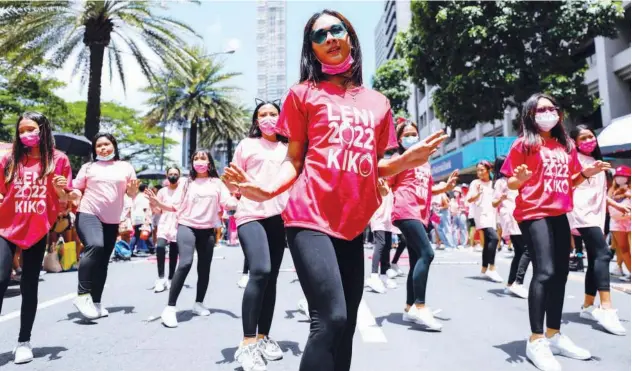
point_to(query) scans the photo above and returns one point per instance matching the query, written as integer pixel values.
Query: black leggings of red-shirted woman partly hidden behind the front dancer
(420, 256)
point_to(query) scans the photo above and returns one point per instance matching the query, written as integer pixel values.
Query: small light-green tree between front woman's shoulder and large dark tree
(391, 80)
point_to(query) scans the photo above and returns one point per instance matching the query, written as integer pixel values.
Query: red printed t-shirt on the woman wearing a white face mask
(549, 191)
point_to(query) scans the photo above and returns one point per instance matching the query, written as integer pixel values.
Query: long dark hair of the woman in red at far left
(19, 151)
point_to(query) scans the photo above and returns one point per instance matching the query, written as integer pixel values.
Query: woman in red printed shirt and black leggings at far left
(33, 181)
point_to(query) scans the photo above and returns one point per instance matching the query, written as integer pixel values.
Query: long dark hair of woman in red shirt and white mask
(530, 131)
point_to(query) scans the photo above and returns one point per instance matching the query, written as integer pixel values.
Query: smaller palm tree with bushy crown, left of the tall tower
(197, 94)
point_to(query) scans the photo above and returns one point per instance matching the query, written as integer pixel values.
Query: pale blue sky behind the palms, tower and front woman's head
(226, 25)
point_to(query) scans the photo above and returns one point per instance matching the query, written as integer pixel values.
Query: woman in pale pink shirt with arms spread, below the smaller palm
(197, 204)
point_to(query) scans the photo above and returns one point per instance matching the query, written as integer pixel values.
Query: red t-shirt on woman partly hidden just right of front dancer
(412, 192)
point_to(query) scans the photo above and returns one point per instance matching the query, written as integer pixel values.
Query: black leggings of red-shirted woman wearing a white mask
(549, 243)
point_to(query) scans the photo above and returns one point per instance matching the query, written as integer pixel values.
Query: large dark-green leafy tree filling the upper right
(485, 56)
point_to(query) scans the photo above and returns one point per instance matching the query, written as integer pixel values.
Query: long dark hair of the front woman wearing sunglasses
(311, 68)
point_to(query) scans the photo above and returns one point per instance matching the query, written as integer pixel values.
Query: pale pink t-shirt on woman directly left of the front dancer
(261, 159)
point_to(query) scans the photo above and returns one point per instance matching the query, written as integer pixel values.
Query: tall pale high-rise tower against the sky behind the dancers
(271, 45)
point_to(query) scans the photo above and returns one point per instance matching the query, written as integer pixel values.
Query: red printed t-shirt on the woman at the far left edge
(30, 205)
